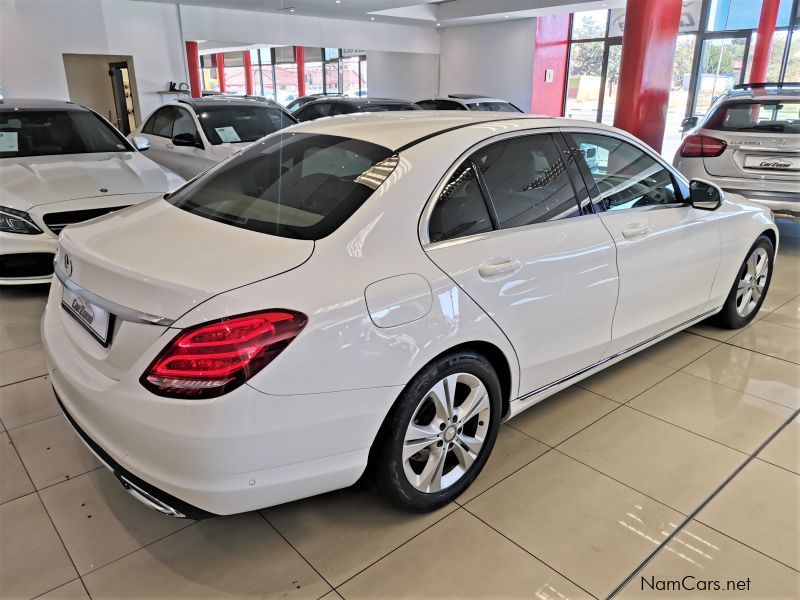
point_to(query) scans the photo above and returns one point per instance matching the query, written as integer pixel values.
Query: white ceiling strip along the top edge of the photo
(443, 13)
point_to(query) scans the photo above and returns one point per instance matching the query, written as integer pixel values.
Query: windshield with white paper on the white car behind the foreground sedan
(236, 123)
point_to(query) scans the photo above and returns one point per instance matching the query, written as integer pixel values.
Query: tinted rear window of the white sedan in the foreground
(300, 186)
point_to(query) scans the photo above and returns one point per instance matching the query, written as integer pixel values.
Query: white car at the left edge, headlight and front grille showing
(61, 163)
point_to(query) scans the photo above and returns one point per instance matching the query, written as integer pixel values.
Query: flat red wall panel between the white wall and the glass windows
(550, 53)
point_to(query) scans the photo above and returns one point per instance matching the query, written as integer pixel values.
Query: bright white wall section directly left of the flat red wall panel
(495, 59)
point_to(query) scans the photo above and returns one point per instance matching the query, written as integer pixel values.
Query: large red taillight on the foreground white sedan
(212, 359)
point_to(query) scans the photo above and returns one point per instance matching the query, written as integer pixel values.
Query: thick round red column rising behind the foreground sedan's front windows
(648, 52)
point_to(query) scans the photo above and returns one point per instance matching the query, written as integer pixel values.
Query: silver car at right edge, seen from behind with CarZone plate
(749, 144)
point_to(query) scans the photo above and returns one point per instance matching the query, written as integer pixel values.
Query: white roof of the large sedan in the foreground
(396, 130)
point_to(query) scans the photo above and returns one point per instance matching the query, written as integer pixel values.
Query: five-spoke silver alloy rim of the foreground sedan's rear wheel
(447, 432)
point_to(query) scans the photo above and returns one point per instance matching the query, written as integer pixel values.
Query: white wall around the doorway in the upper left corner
(34, 35)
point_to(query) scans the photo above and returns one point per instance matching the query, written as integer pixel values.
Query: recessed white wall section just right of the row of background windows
(402, 75)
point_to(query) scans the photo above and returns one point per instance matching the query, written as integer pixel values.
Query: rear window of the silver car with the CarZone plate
(778, 116)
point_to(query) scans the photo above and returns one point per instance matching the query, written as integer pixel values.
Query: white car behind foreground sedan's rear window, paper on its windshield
(189, 136)
